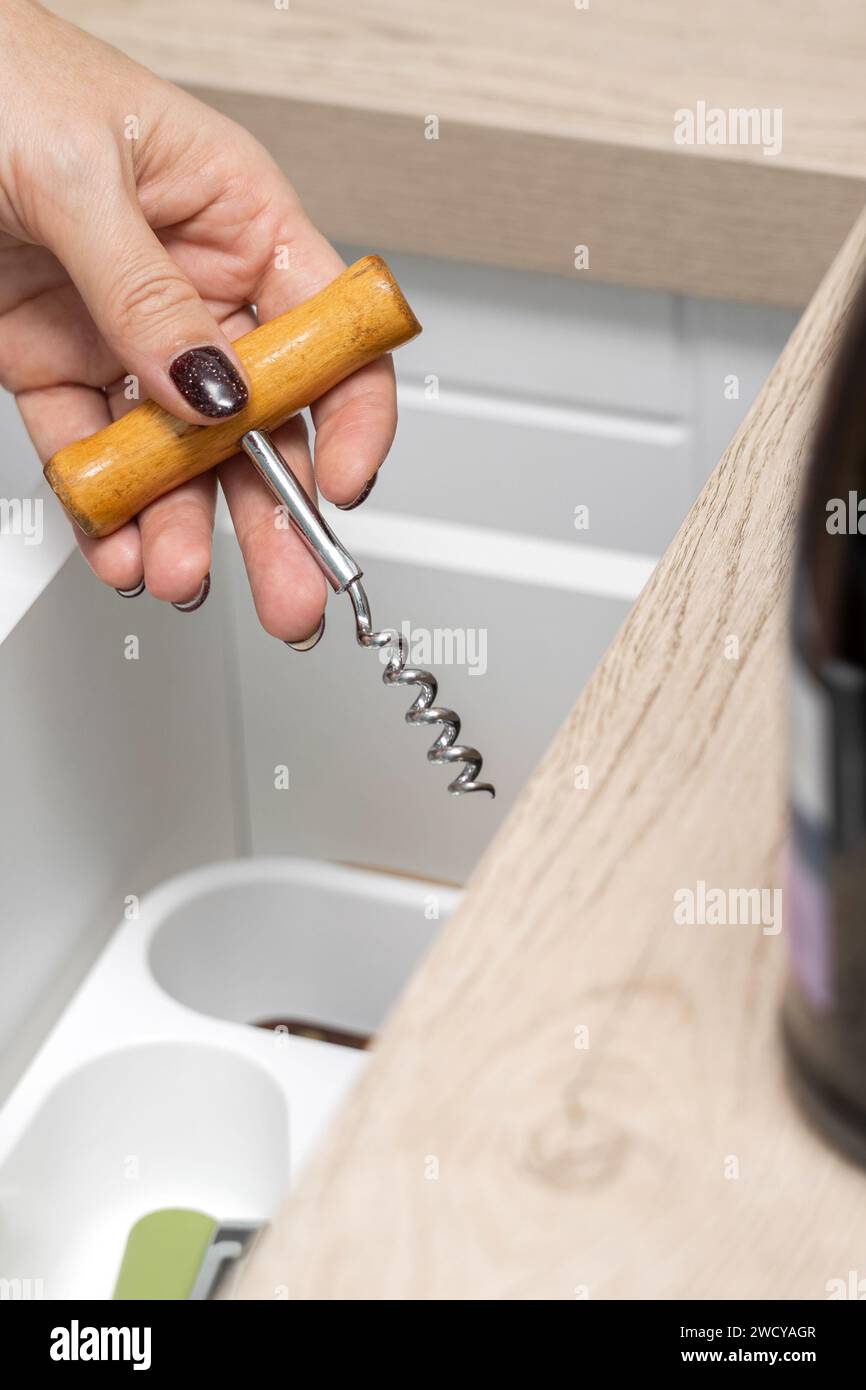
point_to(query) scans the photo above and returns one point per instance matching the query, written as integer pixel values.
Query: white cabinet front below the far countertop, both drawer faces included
(625, 400)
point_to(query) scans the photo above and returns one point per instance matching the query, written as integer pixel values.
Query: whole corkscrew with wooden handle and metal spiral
(106, 480)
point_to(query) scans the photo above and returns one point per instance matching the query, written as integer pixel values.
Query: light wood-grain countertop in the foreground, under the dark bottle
(490, 1154)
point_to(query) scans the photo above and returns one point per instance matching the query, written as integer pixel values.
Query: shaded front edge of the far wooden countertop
(650, 216)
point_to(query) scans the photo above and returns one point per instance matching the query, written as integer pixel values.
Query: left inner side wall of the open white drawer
(115, 775)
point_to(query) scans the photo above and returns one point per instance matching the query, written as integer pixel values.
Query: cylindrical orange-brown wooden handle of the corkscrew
(108, 479)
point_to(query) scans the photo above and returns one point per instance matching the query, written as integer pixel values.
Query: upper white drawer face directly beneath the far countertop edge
(544, 337)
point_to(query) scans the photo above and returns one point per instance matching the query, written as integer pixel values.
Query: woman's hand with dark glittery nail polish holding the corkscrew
(137, 229)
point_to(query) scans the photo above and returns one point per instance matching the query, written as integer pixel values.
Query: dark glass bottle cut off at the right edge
(825, 1013)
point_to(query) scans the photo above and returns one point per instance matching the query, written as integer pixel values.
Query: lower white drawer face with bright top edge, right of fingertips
(526, 471)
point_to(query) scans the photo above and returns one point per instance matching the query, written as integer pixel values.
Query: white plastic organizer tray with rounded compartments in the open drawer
(154, 1089)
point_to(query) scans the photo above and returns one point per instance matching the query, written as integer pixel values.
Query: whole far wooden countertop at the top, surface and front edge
(555, 126)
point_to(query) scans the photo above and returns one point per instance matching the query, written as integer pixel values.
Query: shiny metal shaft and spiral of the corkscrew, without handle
(344, 575)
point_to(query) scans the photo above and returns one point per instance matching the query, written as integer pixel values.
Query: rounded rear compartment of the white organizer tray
(315, 951)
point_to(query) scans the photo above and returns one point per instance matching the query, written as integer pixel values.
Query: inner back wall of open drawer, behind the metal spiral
(361, 787)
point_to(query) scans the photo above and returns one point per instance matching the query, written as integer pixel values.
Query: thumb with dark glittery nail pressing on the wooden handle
(151, 315)
